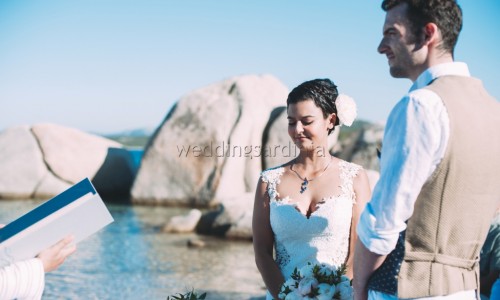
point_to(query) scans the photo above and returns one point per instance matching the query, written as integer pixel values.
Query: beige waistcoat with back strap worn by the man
(455, 206)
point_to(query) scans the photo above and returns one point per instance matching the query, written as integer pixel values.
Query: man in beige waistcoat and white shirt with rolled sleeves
(420, 235)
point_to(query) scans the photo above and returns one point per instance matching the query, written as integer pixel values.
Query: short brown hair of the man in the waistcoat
(446, 14)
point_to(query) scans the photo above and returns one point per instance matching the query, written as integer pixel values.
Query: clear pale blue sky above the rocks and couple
(112, 65)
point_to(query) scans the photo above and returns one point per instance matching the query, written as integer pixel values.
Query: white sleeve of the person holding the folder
(24, 280)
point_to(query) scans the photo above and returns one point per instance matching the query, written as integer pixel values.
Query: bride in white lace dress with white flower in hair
(307, 209)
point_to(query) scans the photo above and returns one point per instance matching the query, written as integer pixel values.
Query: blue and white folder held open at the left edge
(79, 211)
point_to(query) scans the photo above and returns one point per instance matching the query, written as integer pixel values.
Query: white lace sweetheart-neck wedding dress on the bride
(321, 238)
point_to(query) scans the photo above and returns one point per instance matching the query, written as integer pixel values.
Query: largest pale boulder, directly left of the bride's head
(209, 145)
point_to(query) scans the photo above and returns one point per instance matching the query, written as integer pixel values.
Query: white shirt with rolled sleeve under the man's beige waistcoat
(415, 140)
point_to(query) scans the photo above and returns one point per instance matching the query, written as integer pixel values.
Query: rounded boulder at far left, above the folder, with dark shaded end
(43, 160)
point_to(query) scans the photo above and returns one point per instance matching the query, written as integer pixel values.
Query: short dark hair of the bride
(322, 91)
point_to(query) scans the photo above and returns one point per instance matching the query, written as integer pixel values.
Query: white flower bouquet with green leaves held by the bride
(318, 281)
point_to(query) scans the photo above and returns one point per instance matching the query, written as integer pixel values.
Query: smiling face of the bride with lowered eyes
(307, 126)
